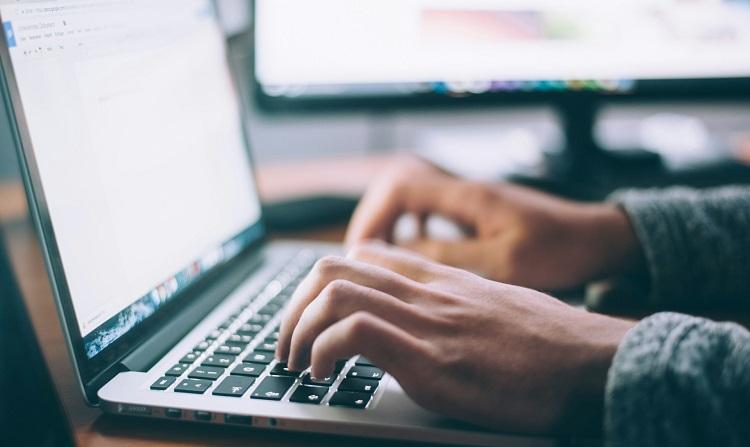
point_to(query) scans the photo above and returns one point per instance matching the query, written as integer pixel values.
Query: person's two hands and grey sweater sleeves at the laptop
(461, 326)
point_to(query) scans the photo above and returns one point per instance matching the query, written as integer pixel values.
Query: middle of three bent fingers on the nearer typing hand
(339, 300)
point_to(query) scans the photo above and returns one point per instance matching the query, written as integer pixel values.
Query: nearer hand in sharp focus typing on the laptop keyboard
(500, 356)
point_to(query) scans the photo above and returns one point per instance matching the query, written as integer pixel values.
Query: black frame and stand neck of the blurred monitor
(576, 109)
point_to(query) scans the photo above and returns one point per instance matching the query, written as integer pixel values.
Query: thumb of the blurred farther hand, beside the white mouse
(468, 254)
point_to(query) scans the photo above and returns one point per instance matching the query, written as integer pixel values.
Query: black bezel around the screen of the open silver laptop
(94, 372)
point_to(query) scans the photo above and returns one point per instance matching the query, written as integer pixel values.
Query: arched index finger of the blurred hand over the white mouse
(386, 201)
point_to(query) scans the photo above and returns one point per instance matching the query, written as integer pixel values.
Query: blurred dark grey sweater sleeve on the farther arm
(696, 244)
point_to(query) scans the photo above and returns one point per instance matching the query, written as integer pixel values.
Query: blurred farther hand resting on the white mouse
(516, 235)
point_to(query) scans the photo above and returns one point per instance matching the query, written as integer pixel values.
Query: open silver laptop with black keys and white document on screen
(135, 159)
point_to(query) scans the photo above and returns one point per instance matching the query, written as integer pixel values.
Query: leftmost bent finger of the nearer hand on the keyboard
(327, 270)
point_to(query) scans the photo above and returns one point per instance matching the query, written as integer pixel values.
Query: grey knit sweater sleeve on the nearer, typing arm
(680, 381)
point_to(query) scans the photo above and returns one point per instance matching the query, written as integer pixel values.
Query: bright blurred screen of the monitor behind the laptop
(330, 48)
